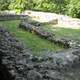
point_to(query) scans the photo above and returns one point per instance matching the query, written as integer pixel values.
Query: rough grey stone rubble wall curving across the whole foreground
(16, 62)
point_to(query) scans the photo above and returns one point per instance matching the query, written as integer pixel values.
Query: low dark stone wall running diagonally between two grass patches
(67, 43)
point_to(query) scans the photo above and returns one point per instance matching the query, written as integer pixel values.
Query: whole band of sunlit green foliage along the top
(69, 7)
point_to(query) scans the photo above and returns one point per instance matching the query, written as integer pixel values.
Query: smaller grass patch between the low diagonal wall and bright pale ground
(73, 34)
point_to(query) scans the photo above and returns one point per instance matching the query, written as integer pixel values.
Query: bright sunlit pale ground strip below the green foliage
(61, 20)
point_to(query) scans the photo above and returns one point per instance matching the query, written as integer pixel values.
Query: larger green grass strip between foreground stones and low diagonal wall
(31, 41)
